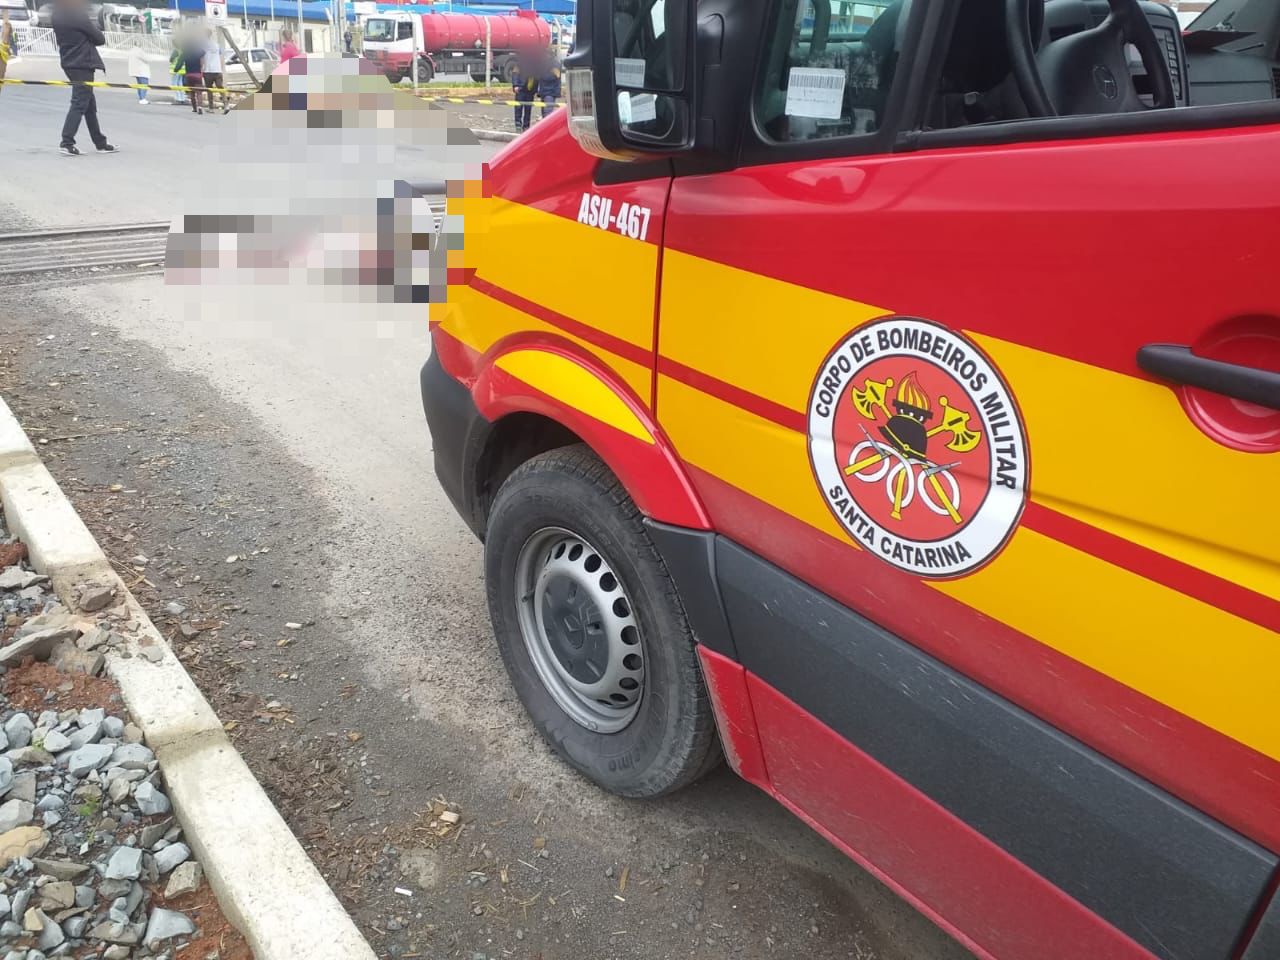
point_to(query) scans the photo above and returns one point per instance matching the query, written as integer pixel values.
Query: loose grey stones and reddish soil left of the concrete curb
(92, 861)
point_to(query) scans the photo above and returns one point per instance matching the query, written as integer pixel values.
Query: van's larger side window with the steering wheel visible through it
(1080, 58)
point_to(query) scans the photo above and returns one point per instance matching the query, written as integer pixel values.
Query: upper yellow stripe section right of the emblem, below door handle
(1127, 450)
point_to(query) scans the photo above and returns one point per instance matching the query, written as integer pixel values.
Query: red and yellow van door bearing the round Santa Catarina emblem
(990, 579)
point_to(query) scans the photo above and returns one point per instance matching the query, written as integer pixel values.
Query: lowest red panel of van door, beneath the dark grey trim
(1000, 909)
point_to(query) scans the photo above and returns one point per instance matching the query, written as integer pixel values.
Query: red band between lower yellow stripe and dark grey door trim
(1223, 778)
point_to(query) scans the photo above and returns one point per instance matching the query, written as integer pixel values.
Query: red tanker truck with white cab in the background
(452, 43)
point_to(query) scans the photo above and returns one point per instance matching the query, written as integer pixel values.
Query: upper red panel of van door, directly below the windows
(1046, 230)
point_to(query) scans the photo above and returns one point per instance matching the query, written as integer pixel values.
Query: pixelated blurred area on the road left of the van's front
(333, 190)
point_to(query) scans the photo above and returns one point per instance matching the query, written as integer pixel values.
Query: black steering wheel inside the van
(1086, 72)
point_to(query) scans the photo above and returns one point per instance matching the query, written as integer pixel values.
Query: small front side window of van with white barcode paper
(829, 68)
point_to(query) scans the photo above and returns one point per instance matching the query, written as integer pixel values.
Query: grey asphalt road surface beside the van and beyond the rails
(276, 467)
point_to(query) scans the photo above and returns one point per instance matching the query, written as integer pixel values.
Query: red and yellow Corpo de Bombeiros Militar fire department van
(875, 429)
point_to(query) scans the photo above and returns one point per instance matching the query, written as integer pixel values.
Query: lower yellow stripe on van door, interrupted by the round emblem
(1182, 652)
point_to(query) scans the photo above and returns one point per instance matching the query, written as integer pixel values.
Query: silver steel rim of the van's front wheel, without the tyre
(580, 630)
